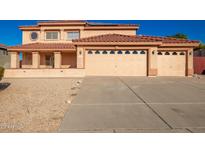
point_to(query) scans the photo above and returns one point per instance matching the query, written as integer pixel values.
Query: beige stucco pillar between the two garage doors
(152, 61)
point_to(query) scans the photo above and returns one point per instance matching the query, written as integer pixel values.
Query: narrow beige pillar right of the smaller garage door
(190, 70)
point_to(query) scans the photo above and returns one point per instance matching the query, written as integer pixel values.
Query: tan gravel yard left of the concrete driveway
(35, 105)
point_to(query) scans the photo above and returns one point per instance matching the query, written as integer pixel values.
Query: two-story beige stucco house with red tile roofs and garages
(65, 48)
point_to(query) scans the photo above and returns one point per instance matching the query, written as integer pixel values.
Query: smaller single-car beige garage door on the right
(171, 63)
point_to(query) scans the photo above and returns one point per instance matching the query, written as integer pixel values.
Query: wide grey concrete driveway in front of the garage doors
(137, 104)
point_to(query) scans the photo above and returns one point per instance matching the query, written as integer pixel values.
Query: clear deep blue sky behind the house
(195, 29)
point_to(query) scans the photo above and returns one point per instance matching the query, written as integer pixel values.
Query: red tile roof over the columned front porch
(39, 46)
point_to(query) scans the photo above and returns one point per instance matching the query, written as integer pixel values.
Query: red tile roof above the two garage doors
(131, 38)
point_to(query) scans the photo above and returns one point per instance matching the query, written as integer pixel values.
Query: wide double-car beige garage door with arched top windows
(116, 63)
